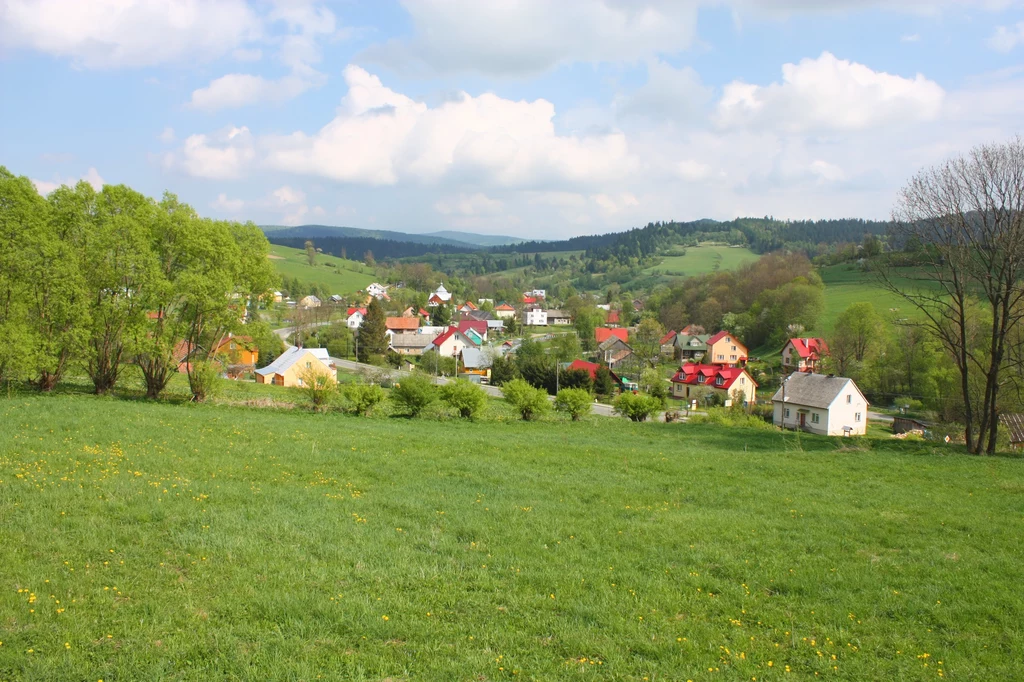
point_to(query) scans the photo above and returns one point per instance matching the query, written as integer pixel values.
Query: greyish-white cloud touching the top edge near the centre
(532, 36)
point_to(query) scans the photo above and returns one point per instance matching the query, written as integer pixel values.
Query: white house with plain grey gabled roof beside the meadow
(821, 404)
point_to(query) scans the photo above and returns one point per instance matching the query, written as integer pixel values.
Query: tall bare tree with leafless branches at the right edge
(968, 216)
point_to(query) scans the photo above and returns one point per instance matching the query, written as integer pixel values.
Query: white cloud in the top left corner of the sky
(99, 34)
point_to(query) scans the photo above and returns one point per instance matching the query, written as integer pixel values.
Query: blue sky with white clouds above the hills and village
(531, 118)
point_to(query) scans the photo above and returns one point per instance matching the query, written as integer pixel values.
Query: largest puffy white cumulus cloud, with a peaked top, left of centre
(381, 138)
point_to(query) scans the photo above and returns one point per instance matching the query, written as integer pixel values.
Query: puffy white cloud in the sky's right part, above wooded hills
(830, 95)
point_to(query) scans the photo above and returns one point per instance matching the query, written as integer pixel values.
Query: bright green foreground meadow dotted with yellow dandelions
(277, 545)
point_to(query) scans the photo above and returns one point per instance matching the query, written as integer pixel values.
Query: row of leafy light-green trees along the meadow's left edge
(99, 281)
